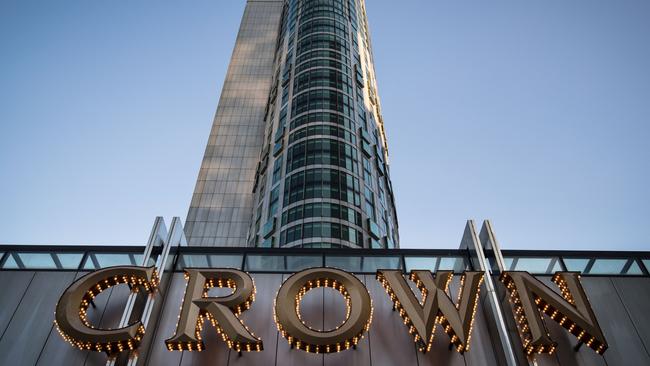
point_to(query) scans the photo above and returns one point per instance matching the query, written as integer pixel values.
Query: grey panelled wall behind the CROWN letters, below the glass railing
(28, 337)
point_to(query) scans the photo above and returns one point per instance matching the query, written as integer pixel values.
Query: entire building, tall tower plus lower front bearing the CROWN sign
(296, 168)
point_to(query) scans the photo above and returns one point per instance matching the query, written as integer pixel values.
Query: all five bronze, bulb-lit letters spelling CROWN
(529, 296)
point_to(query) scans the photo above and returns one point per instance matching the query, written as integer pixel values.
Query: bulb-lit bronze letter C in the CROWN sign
(70, 315)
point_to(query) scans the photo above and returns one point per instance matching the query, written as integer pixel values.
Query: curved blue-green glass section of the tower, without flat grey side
(324, 136)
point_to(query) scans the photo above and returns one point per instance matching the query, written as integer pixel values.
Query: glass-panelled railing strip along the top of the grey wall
(289, 260)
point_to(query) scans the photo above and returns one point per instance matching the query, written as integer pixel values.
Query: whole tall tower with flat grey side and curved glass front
(297, 156)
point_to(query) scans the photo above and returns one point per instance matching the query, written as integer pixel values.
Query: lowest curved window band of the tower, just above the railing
(321, 230)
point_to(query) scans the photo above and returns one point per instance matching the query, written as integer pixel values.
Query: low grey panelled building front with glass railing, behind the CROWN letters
(33, 280)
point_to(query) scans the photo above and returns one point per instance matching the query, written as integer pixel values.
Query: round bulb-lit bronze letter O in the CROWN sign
(287, 310)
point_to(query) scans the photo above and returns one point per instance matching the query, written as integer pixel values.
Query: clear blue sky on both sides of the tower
(534, 114)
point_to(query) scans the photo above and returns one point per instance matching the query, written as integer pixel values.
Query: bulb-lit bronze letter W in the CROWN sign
(436, 306)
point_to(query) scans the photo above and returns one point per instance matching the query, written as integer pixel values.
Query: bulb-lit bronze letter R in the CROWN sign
(223, 312)
